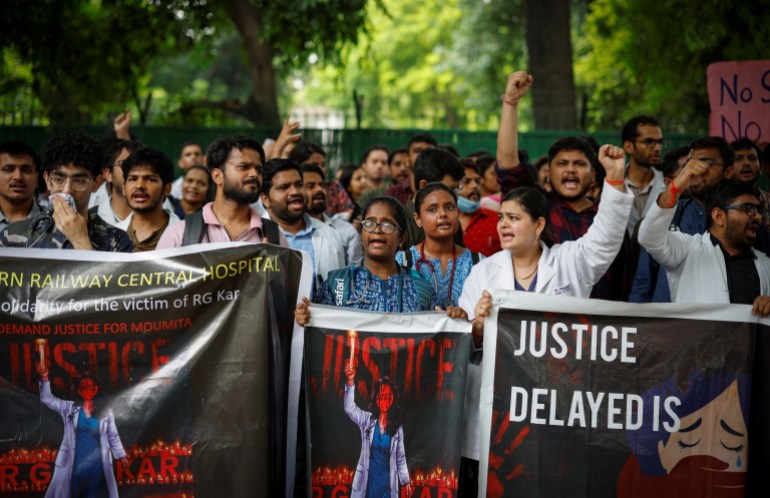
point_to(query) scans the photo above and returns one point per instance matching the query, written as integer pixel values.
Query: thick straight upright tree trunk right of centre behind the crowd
(550, 62)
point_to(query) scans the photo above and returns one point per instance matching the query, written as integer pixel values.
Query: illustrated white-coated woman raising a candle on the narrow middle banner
(382, 464)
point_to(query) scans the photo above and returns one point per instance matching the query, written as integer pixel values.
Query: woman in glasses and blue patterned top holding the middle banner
(377, 282)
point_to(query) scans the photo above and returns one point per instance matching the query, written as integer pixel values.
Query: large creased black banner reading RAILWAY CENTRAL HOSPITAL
(155, 375)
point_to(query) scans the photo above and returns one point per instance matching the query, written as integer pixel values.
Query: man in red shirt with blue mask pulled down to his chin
(479, 225)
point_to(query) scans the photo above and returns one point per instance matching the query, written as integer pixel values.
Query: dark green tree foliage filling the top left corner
(83, 56)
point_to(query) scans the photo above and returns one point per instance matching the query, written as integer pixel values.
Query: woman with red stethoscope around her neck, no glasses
(437, 258)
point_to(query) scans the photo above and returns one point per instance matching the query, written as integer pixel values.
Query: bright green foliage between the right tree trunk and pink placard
(651, 57)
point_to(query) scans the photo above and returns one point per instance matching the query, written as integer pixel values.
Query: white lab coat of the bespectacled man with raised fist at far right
(694, 265)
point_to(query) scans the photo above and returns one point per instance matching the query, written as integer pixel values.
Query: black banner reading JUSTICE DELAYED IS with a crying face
(598, 399)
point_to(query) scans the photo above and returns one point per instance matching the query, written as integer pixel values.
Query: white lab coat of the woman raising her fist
(570, 268)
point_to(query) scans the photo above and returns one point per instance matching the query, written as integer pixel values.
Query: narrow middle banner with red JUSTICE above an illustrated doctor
(385, 402)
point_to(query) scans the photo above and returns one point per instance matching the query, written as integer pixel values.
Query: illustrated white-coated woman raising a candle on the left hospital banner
(84, 467)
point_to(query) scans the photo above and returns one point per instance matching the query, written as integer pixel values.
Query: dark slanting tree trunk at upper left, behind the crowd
(262, 104)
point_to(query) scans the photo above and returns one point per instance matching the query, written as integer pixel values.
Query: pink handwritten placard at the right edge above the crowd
(739, 95)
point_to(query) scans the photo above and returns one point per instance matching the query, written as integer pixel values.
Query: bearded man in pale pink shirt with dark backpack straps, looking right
(236, 168)
